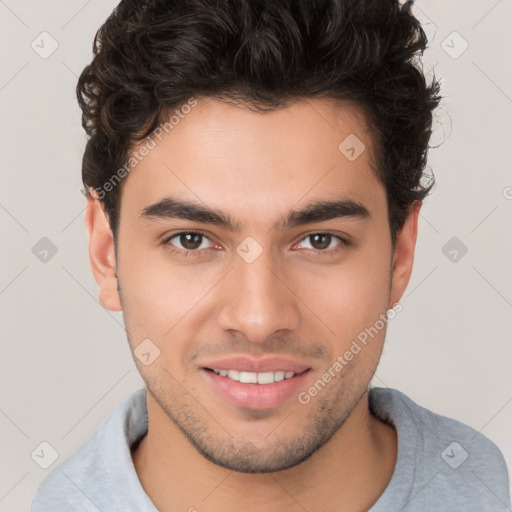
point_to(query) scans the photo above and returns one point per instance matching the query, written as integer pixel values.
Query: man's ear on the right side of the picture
(403, 255)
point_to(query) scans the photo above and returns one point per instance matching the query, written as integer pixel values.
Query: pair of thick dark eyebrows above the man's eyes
(317, 211)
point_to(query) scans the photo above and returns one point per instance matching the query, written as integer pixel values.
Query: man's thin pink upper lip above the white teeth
(256, 365)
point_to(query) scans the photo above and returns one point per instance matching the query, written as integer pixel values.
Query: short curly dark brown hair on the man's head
(152, 56)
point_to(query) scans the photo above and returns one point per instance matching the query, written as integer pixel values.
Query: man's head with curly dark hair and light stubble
(254, 177)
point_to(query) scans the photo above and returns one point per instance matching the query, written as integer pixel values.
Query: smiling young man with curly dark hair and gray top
(254, 179)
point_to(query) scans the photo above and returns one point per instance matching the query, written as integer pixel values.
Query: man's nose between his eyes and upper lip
(257, 300)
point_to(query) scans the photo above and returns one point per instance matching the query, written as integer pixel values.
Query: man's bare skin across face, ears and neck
(296, 300)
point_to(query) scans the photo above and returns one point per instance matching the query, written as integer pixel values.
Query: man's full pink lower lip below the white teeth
(255, 396)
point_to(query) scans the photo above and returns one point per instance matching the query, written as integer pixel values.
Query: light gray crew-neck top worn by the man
(442, 464)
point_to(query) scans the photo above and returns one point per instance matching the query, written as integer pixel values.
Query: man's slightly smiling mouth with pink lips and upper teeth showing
(247, 384)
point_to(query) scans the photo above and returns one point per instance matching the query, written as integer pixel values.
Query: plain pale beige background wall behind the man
(65, 362)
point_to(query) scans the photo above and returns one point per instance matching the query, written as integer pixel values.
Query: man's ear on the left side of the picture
(102, 254)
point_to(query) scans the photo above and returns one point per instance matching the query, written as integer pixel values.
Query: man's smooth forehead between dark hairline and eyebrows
(255, 163)
